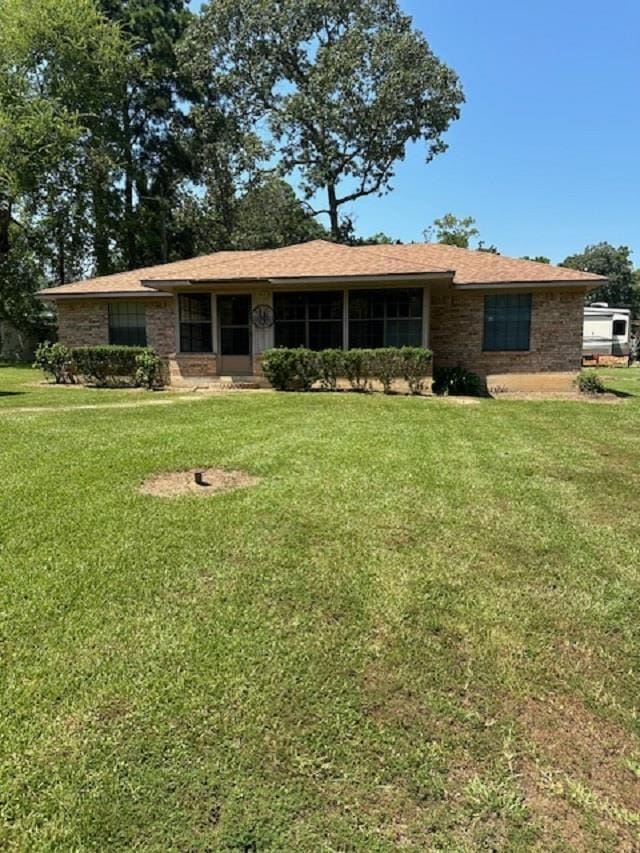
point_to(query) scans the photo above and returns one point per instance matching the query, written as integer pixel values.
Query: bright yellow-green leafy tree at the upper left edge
(59, 61)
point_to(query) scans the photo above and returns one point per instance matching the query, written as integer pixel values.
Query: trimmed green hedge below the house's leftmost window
(101, 365)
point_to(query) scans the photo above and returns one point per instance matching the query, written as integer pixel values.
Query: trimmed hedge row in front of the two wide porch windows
(299, 369)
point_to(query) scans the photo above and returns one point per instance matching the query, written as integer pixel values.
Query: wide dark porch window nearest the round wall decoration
(312, 320)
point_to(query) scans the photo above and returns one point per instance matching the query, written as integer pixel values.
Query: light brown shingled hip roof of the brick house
(321, 259)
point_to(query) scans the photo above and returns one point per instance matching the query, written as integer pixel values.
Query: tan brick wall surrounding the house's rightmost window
(457, 328)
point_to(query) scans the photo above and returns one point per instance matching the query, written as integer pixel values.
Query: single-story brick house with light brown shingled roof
(518, 323)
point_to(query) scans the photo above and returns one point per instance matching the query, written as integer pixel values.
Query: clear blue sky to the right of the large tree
(546, 153)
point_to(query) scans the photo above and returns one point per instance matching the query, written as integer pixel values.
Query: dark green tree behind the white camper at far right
(614, 263)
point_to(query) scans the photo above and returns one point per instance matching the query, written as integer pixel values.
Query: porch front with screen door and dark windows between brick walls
(221, 333)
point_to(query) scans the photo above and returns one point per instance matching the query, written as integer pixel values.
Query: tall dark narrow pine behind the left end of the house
(149, 128)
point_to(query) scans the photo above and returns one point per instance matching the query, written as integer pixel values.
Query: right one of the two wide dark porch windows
(385, 318)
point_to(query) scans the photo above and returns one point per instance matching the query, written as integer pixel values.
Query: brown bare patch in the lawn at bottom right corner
(580, 773)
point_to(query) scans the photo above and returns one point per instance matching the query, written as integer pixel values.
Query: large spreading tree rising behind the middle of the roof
(340, 87)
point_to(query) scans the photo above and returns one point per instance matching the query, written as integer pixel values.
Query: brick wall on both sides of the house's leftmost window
(85, 322)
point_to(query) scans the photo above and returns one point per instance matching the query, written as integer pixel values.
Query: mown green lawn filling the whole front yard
(419, 631)
